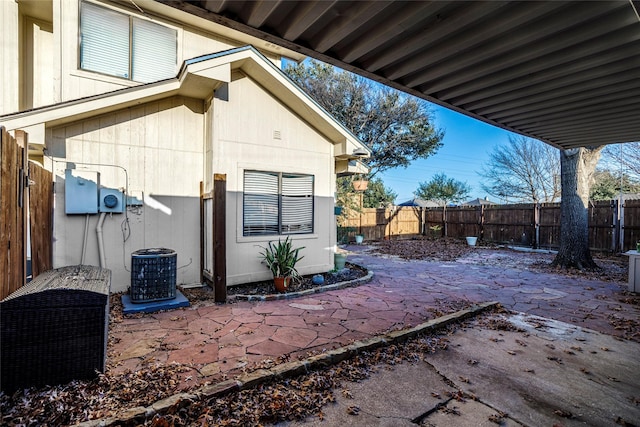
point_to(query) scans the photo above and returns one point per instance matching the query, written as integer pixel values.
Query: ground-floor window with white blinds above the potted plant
(277, 203)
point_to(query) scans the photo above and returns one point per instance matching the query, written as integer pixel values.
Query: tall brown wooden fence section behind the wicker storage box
(26, 209)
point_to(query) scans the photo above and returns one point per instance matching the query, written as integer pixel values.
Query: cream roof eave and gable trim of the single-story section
(197, 78)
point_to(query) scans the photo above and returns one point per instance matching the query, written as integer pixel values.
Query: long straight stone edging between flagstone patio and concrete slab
(284, 370)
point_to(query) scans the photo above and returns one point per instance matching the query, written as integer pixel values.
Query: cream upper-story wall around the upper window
(40, 59)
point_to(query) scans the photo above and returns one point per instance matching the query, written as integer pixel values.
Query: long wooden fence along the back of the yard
(612, 227)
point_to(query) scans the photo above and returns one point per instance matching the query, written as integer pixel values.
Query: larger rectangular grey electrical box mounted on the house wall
(81, 191)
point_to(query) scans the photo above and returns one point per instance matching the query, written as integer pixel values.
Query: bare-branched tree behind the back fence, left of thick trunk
(524, 170)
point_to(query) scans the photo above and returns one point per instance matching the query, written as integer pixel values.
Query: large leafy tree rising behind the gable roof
(397, 127)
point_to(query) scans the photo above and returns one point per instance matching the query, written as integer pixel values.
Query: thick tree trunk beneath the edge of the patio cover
(577, 167)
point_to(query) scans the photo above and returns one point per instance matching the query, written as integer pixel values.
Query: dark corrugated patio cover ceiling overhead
(564, 72)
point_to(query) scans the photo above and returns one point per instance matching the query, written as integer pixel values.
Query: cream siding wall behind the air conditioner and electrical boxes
(160, 145)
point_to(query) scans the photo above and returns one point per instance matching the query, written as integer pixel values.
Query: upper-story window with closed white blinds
(124, 46)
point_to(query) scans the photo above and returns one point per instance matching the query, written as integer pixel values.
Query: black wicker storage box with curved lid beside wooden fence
(54, 329)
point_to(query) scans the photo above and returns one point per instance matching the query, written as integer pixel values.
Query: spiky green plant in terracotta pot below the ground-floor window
(281, 258)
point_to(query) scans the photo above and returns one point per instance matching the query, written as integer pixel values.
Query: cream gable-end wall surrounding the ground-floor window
(251, 130)
